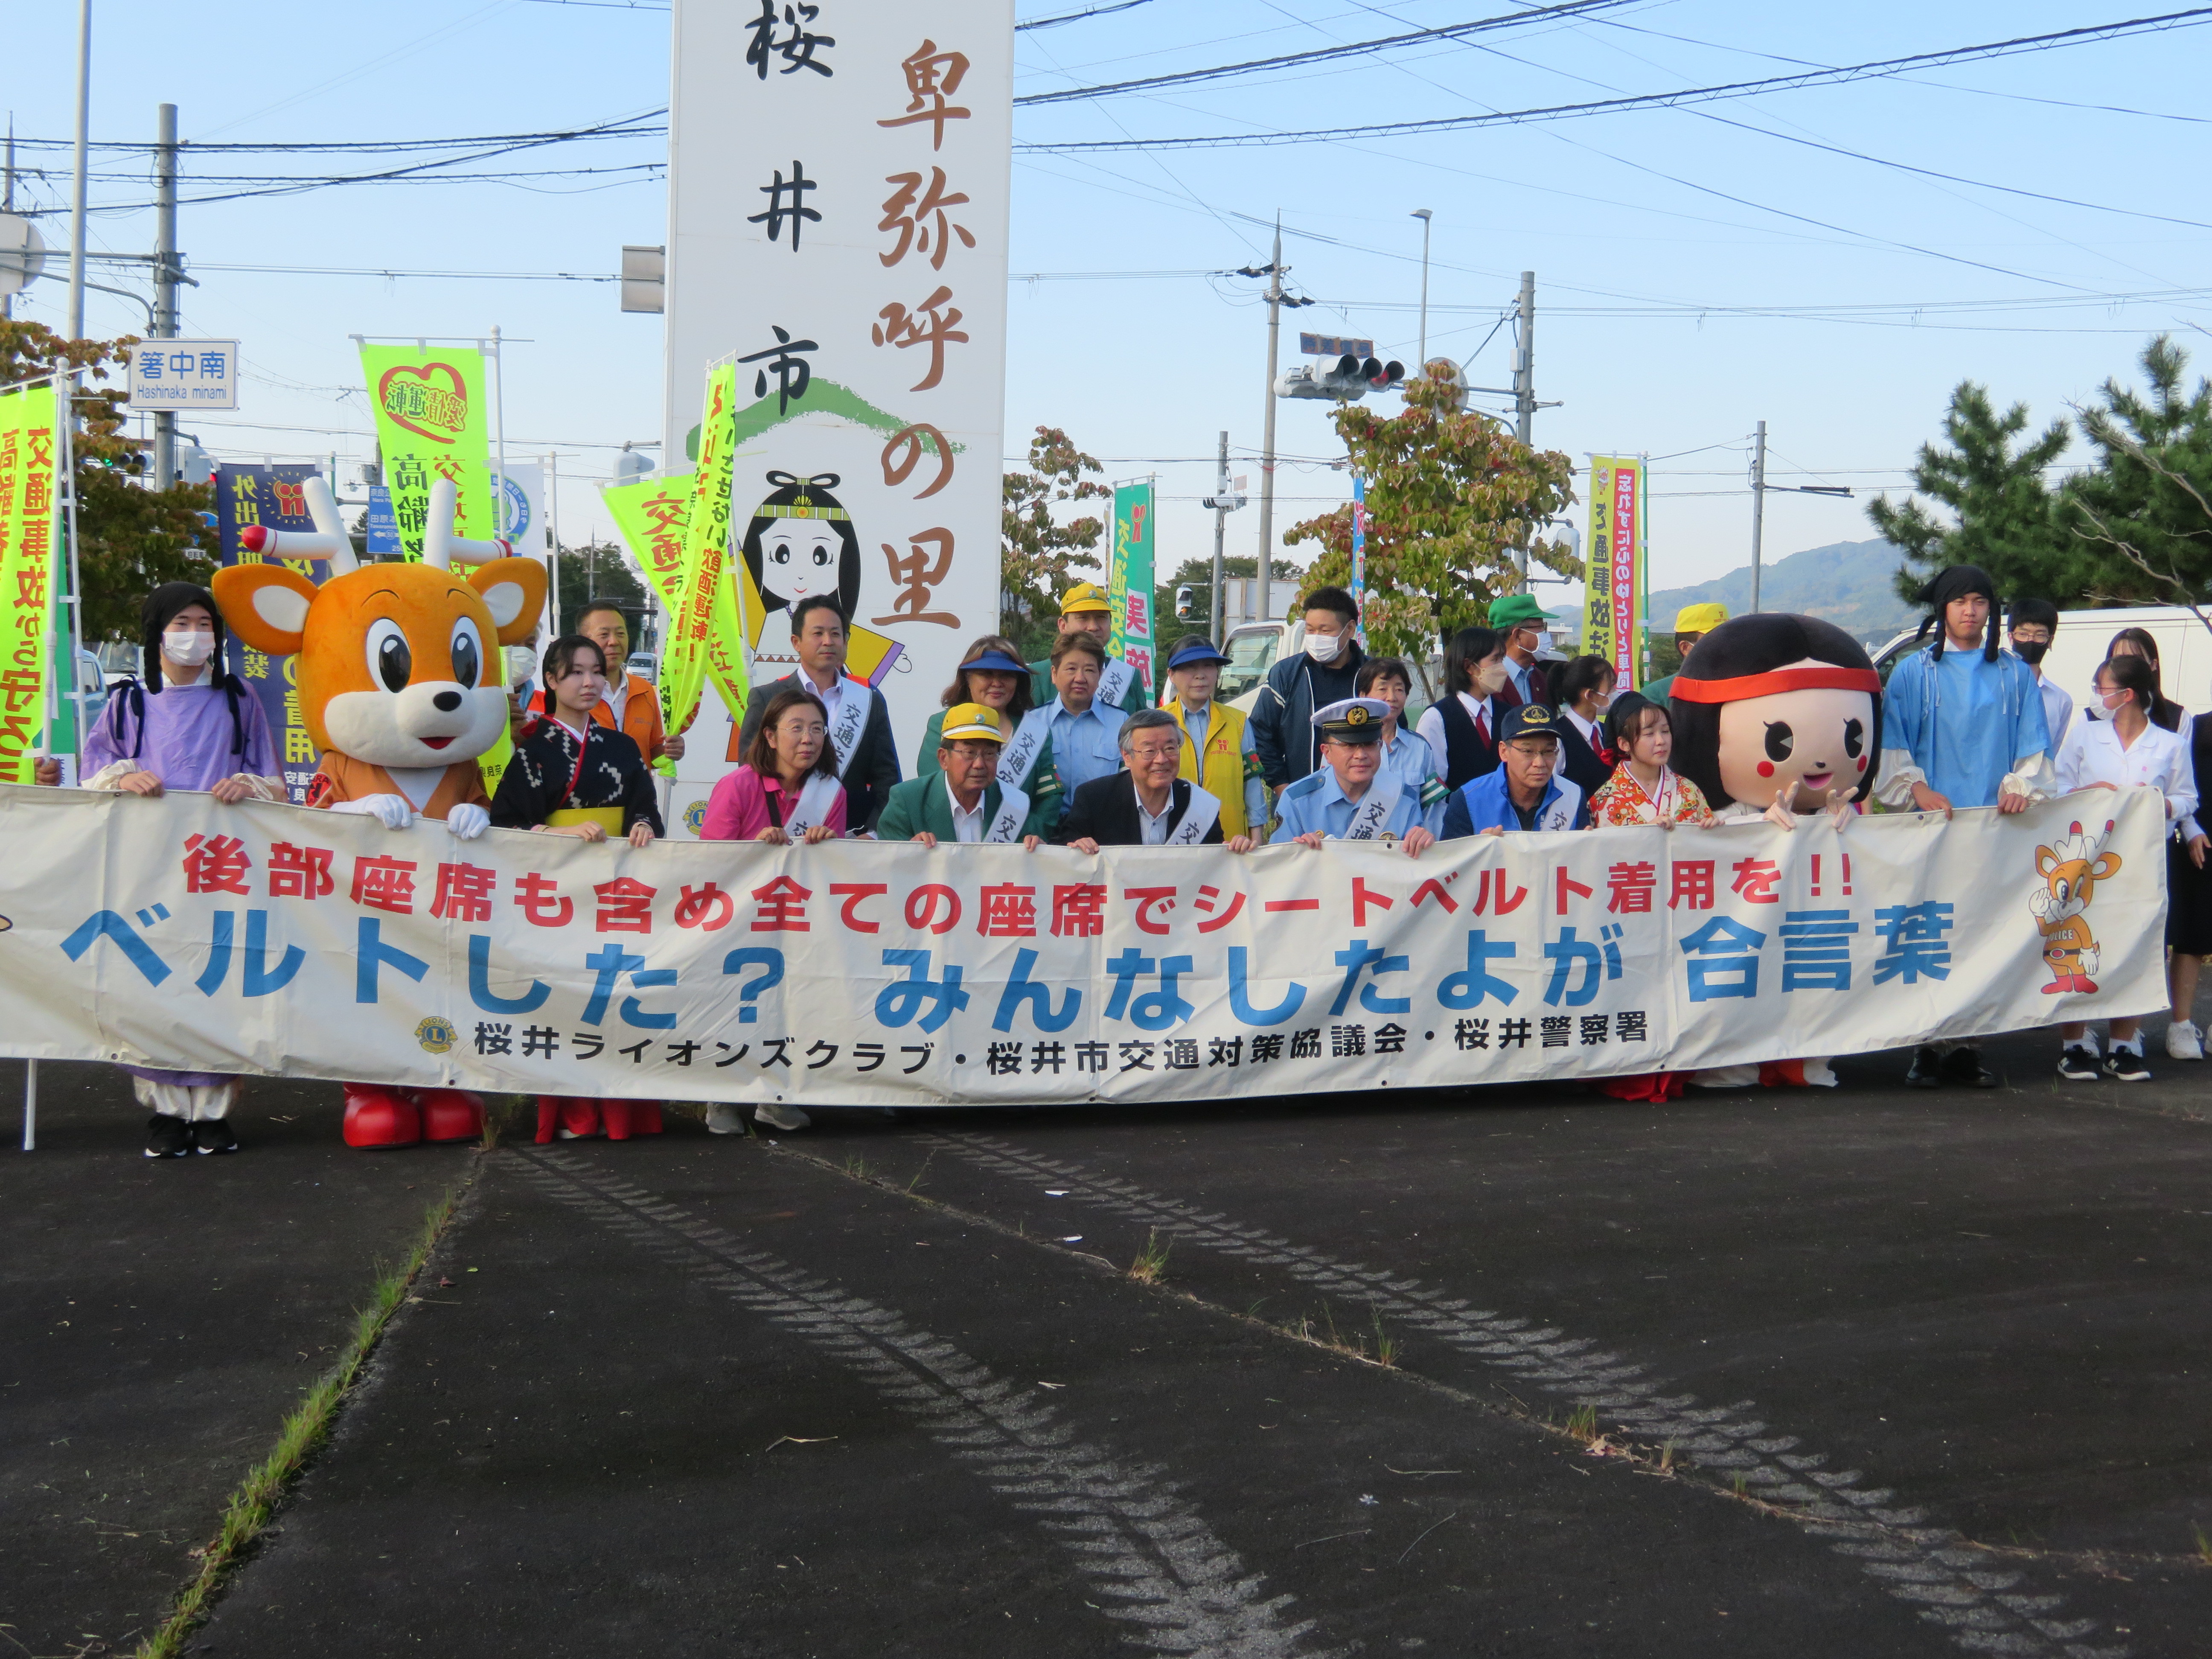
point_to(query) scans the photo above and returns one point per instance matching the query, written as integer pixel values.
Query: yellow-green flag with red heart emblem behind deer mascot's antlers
(430, 426)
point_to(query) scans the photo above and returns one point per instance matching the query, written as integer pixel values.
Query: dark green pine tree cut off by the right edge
(2142, 514)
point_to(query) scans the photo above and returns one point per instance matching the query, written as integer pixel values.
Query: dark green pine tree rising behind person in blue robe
(2001, 510)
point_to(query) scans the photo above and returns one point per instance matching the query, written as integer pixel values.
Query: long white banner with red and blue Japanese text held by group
(273, 939)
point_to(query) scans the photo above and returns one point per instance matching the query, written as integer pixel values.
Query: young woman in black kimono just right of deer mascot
(574, 778)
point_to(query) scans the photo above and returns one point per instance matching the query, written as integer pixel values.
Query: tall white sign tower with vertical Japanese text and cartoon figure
(837, 231)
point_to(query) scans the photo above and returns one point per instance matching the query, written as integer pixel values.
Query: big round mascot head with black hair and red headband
(1777, 702)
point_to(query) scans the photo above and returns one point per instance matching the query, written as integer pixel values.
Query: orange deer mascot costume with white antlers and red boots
(399, 687)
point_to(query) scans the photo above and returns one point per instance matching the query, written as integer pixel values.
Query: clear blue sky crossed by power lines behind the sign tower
(1698, 269)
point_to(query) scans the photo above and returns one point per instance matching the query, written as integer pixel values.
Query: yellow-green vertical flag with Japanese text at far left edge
(28, 547)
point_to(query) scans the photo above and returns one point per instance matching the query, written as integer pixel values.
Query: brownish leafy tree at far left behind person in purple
(129, 539)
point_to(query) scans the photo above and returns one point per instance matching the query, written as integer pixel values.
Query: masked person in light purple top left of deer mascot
(189, 727)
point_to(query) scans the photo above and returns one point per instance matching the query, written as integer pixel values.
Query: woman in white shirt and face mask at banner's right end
(2118, 751)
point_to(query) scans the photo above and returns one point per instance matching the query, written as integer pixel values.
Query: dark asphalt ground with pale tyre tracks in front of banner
(1762, 1373)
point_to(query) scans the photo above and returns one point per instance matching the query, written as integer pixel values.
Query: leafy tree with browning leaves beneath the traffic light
(1450, 497)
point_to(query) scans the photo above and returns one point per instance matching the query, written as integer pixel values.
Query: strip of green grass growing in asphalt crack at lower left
(255, 1503)
